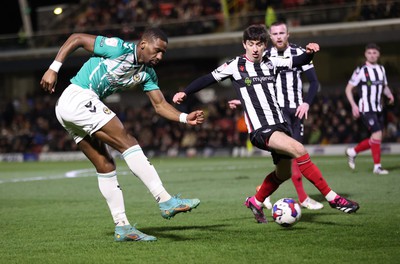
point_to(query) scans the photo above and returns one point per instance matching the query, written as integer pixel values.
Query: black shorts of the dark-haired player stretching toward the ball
(260, 138)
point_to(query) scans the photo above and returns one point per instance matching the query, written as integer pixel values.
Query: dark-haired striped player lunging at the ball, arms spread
(253, 77)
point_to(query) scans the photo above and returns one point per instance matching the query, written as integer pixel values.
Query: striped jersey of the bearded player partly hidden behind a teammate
(288, 82)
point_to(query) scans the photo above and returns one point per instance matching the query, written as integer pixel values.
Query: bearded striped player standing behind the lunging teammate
(289, 93)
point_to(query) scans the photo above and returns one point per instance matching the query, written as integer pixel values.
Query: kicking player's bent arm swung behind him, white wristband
(76, 40)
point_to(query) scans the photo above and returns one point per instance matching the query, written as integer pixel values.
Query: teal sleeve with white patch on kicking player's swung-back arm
(109, 47)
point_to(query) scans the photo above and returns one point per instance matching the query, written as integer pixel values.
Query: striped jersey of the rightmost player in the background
(371, 81)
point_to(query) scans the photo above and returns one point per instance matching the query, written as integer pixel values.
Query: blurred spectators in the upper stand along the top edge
(180, 18)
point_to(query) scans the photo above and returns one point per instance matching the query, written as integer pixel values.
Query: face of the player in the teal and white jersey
(151, 52)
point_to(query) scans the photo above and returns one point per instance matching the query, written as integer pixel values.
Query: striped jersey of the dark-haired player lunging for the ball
(254, 84)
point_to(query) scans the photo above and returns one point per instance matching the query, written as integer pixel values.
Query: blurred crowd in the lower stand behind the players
(28, 125)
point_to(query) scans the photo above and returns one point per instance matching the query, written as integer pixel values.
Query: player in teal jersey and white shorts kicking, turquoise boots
(115, 66)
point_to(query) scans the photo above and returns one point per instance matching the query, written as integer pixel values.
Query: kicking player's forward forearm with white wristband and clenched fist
(166, 110)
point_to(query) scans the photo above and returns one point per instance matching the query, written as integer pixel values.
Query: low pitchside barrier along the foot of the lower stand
(324, 150)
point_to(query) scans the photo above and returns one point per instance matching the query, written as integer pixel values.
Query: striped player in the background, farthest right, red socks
(370, 78)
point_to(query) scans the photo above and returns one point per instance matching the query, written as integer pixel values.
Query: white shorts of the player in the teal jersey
(81, 112)
